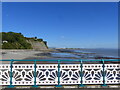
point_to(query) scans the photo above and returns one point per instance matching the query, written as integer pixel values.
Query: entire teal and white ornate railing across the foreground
(59, 74)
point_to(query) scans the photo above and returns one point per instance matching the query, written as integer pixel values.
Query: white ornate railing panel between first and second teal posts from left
(23, 74)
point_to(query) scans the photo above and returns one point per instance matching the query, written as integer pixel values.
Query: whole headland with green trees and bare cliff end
(12, 40)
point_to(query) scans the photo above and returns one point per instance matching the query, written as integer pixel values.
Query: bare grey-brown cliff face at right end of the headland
(38, 45)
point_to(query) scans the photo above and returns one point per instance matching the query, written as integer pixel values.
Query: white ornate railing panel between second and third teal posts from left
(47, 74)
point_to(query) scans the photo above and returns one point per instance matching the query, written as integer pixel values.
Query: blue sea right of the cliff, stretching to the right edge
(87, 53)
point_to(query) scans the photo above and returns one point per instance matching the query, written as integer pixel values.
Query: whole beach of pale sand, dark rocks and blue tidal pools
(50, 54)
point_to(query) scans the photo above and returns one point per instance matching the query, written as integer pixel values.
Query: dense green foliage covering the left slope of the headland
(15, 41)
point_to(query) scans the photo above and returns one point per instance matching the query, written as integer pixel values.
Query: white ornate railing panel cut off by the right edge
(112, 72)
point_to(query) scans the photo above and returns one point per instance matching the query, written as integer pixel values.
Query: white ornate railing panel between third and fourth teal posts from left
(70, 74)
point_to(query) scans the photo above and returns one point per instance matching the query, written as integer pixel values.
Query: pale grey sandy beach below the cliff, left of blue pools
(27, 55)
